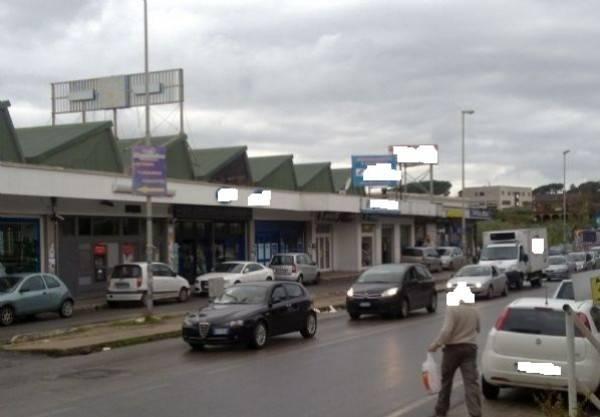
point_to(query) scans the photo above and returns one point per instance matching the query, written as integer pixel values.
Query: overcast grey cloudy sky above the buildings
(327, 79)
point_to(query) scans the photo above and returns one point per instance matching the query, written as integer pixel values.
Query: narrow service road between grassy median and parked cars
(48, 322)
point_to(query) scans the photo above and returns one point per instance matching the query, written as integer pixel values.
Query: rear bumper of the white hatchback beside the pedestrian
(501, 371)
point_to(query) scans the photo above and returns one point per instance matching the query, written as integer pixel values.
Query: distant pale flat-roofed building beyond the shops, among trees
(500, 196)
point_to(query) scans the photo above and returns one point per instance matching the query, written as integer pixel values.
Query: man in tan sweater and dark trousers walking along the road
(458, 336)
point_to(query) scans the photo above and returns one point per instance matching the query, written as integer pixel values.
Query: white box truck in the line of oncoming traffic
(511, 252)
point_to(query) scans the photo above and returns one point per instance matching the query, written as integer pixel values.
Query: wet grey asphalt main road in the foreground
(365, 368)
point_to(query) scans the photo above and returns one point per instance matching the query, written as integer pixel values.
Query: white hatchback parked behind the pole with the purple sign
(129, 282)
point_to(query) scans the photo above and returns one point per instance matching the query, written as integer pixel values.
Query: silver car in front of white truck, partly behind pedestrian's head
(483, 280)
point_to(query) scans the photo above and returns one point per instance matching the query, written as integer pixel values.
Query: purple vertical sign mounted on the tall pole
(149, 170)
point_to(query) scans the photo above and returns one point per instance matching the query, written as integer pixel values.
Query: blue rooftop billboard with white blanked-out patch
(375, 170)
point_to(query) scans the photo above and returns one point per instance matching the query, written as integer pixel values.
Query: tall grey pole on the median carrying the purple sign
(149, 237)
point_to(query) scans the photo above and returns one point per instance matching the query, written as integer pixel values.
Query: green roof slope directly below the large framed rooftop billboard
(41, 141)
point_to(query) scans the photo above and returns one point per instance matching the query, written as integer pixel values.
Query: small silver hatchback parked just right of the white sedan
(295, 267)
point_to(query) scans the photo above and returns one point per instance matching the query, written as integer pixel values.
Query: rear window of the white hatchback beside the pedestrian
(542, 321)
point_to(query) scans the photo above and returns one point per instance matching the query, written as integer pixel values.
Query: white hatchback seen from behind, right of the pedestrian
(527, 347)
